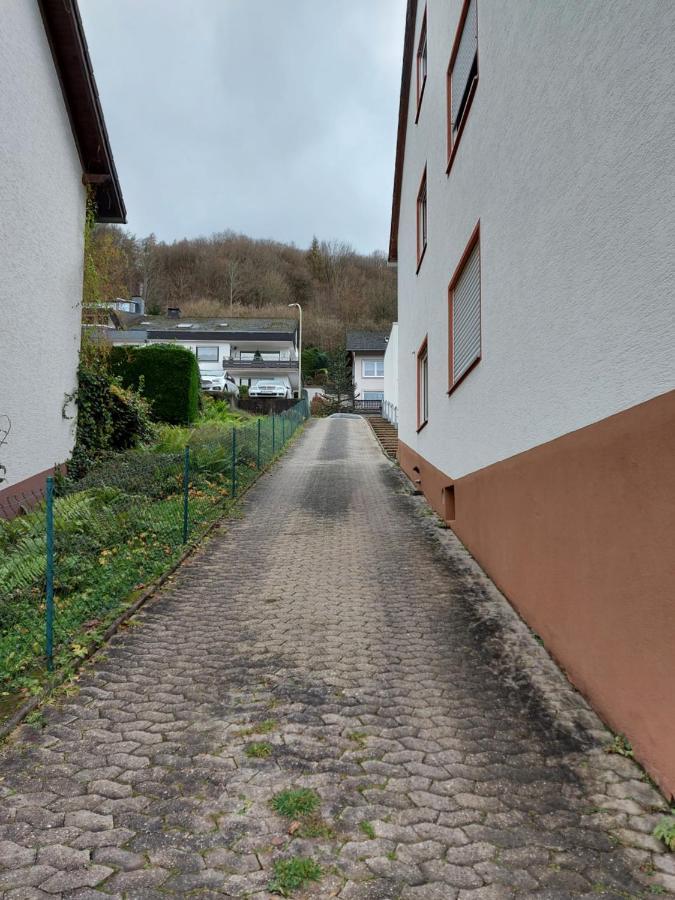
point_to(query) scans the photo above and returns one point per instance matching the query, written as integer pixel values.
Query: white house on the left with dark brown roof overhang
(53, 143)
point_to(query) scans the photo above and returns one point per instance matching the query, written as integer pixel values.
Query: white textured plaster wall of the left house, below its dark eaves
(42, 209)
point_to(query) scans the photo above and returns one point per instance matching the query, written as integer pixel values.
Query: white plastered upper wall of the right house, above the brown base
(567, 161)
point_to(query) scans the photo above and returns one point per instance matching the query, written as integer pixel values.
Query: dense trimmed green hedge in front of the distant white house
(168, 377)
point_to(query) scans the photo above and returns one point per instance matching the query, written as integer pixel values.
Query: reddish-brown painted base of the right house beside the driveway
(579, 533)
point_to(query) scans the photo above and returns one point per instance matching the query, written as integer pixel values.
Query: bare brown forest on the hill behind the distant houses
(230, 273)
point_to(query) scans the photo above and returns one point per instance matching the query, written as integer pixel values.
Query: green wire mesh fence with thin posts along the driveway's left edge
(82, 551)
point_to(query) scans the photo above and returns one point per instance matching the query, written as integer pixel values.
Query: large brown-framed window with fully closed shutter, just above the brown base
(464, 313)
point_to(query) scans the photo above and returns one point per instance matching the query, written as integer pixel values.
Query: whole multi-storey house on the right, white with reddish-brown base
(534, 228)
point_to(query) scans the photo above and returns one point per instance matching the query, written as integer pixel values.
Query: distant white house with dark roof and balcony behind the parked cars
(248, 349)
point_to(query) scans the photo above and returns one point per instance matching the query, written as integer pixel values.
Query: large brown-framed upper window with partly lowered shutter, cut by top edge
(462, 75)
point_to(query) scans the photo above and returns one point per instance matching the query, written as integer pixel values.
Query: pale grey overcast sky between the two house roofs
(274, 119)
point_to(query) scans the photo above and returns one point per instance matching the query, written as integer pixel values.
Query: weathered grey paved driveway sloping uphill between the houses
(338, 624)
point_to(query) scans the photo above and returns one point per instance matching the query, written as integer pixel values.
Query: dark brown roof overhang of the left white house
(71, 57)
